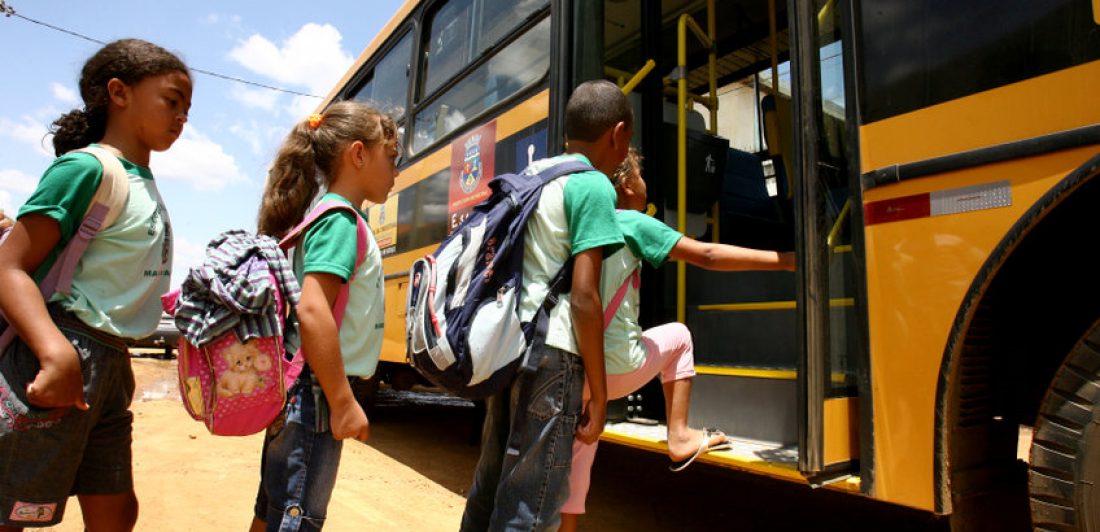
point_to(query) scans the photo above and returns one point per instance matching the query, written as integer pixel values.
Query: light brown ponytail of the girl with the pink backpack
(292, 184)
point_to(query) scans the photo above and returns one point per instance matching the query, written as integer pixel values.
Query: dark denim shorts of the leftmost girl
(48, 456)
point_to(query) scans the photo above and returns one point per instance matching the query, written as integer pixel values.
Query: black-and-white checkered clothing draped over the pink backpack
(235, 290)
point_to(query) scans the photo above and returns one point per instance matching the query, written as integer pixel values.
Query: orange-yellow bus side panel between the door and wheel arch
(919, 270)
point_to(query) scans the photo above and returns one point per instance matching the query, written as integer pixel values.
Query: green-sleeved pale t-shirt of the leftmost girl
(119, 280)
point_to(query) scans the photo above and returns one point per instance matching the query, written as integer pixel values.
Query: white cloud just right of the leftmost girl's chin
(200, 161)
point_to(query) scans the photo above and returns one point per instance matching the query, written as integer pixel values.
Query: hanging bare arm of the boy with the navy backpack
(588, 324)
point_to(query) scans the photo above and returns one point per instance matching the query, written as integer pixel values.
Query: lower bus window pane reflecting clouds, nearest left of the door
(523, 62)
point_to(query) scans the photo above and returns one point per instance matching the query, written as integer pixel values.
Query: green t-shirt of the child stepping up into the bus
(647, 239)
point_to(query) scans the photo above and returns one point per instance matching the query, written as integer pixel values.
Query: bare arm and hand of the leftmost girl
(59, 382)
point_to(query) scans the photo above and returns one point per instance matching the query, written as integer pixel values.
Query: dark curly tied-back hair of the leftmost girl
(128, 60)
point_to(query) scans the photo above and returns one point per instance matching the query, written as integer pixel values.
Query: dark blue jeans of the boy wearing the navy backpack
(522, 480)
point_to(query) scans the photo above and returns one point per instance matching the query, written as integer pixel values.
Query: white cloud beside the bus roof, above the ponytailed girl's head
(312, 59)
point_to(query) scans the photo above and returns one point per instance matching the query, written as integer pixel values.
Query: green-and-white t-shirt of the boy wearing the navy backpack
(576, 214)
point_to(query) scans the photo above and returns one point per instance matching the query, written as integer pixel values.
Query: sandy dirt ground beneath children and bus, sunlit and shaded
(415, 472)
